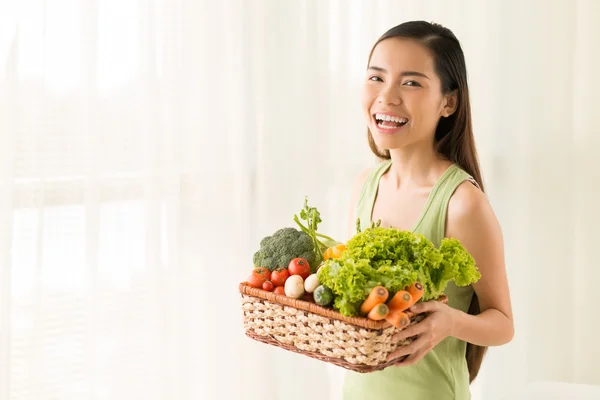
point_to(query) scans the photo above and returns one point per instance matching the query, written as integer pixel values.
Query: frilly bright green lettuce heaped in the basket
(394, 259)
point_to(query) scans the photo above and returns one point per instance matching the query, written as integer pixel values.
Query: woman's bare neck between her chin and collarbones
(416, 167)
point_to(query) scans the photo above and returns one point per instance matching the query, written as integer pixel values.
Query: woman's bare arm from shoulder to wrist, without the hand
(472, 221)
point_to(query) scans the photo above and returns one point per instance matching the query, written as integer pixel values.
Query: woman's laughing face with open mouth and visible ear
(402, 96)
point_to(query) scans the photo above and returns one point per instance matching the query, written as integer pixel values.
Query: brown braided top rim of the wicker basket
(363, 322)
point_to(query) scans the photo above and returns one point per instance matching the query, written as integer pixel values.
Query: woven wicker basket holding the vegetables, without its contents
(357, 344)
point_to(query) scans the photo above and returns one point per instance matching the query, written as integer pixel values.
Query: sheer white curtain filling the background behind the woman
(148, 145)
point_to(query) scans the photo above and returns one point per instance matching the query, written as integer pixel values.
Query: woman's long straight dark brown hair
(454, 134)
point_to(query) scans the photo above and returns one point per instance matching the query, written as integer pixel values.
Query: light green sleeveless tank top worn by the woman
(442, 374)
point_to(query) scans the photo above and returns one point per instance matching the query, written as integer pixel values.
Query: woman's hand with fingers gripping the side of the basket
(438, 325)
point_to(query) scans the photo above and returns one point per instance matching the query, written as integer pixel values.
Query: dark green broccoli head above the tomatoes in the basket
(285, 245)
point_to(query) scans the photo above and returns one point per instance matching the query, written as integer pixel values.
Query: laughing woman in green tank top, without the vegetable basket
(416, 102)
